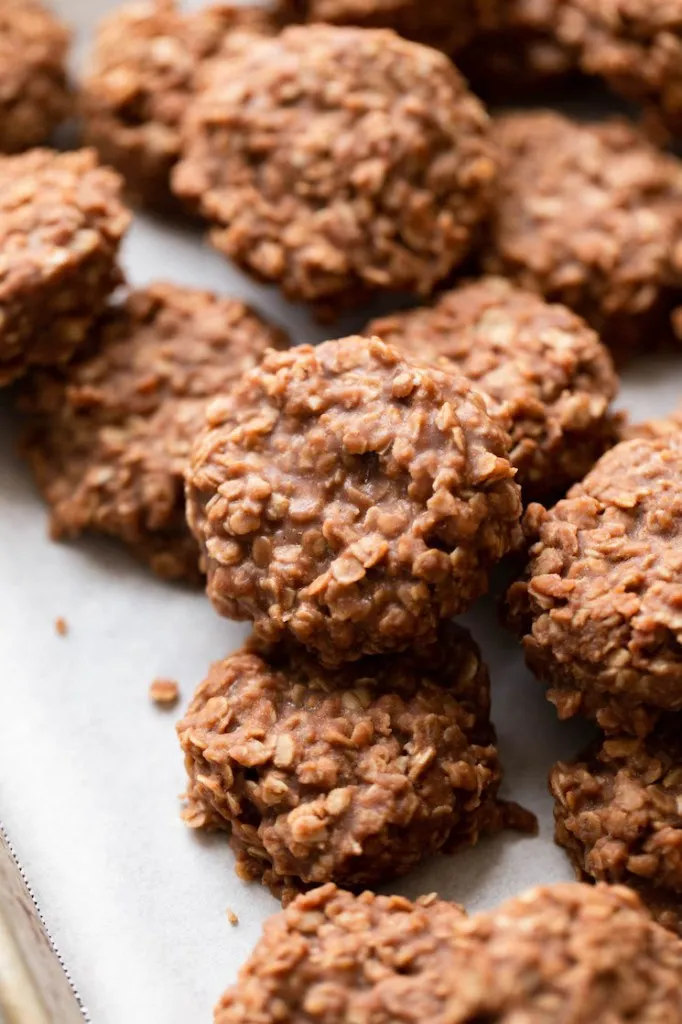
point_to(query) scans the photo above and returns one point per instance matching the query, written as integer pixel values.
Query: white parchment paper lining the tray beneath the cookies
(91, 771)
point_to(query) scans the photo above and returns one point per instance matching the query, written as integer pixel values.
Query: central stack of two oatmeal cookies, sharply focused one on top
(349, 502)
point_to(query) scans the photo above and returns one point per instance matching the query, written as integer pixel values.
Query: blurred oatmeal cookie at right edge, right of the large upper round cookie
(590, 217)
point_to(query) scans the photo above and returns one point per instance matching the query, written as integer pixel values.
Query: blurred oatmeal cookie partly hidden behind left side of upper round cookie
(143, 74)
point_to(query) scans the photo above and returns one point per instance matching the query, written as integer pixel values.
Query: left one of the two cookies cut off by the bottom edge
(331, 956)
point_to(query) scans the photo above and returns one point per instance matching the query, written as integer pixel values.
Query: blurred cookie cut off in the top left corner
(34, 91)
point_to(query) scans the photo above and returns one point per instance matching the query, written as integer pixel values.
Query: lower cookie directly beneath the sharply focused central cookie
(351, 776)
